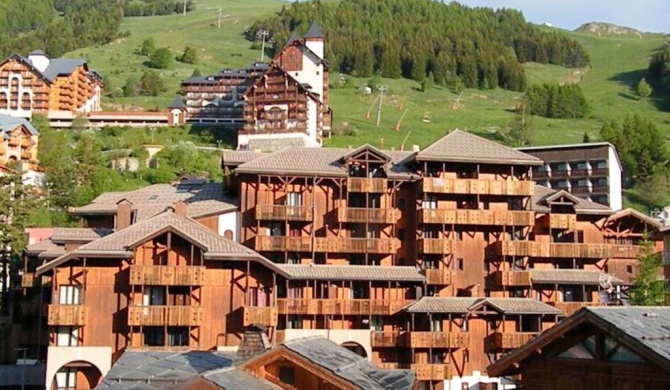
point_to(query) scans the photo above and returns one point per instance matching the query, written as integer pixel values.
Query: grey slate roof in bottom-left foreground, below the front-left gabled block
(160, 369)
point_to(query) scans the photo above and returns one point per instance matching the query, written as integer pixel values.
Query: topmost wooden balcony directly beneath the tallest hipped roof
(476, 186)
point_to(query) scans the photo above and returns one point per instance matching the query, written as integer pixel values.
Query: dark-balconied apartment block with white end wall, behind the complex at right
(591, 171)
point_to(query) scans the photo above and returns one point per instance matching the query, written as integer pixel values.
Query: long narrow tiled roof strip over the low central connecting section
(351, 272)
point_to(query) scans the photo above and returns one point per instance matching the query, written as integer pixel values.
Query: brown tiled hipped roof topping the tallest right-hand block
(461, 146)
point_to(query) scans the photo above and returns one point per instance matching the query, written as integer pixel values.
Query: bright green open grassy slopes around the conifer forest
(618, 62)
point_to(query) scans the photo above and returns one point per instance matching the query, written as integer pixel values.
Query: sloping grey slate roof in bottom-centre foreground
(349, 366)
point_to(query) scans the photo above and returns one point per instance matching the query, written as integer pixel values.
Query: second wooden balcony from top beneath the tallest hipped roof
(477, 217)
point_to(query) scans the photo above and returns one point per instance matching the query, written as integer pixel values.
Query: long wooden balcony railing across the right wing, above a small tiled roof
(564, 250)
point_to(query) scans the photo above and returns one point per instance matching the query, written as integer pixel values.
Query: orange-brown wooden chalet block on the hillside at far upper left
(41, 85)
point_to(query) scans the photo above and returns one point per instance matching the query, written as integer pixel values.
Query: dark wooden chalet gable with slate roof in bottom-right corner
(598, 348)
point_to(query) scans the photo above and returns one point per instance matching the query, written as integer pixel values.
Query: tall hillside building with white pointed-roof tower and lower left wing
(272, 105)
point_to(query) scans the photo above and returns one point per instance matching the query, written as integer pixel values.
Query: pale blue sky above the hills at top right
(644, 15)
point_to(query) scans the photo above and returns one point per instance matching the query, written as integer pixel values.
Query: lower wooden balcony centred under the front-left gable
(164, 315)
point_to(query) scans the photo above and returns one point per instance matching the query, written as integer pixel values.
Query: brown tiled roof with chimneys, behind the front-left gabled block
(201, 198)
